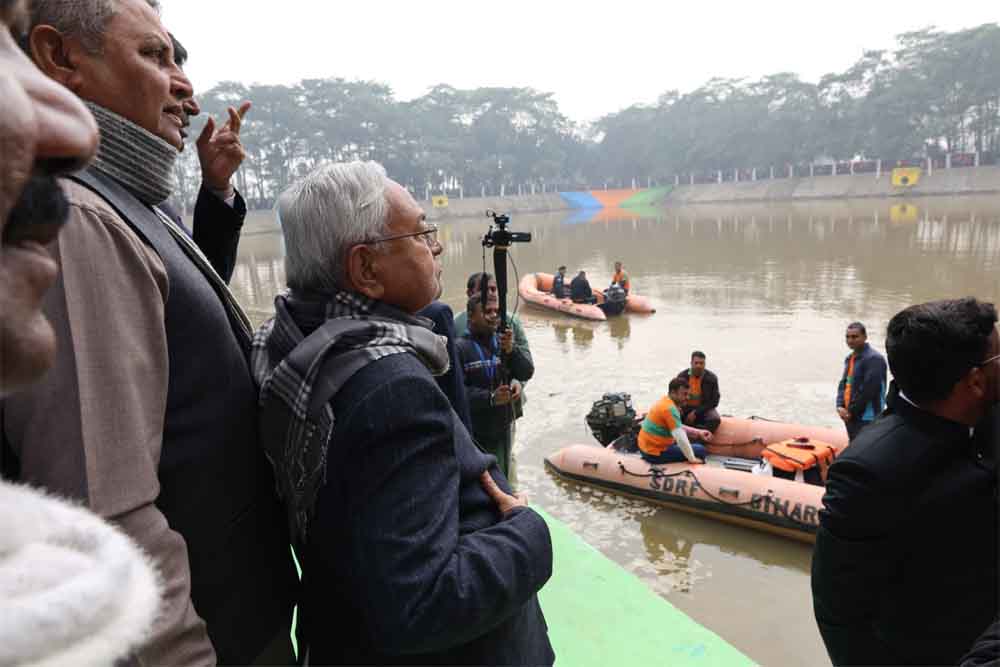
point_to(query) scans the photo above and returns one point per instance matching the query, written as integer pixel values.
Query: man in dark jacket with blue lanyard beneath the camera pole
(491, 394)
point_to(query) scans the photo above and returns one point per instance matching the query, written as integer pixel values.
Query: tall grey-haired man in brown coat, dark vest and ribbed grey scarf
(149, 415)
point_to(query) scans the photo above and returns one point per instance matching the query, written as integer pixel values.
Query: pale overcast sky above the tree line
(595, 57)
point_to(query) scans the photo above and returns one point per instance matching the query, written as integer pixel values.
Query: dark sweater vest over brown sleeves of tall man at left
(216, 488)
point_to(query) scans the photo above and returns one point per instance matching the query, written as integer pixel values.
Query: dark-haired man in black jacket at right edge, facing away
(905, 565)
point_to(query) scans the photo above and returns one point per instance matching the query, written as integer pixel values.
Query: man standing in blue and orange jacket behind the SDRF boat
(861, 393)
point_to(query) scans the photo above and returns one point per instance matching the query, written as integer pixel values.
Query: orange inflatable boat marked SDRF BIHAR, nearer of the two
(735, 485)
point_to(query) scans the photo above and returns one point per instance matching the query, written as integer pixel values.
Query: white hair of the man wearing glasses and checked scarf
(322, 216)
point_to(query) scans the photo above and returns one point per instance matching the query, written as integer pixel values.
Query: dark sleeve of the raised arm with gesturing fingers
(217, 229)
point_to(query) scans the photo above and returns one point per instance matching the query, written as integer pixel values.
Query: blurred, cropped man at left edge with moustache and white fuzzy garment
(73, 590)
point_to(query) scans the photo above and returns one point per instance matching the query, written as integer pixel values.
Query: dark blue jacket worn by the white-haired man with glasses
(408, 560)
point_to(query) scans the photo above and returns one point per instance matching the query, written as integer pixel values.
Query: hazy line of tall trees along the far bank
(935, 92)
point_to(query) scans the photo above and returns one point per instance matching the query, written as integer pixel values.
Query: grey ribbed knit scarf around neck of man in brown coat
(139, 160)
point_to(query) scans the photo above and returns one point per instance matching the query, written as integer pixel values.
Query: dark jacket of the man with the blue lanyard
(489, 419)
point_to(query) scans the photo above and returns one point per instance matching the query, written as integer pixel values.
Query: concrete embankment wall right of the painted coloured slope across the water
(970, 180)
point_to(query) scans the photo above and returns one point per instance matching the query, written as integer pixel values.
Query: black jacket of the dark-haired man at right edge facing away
(905, 564)
